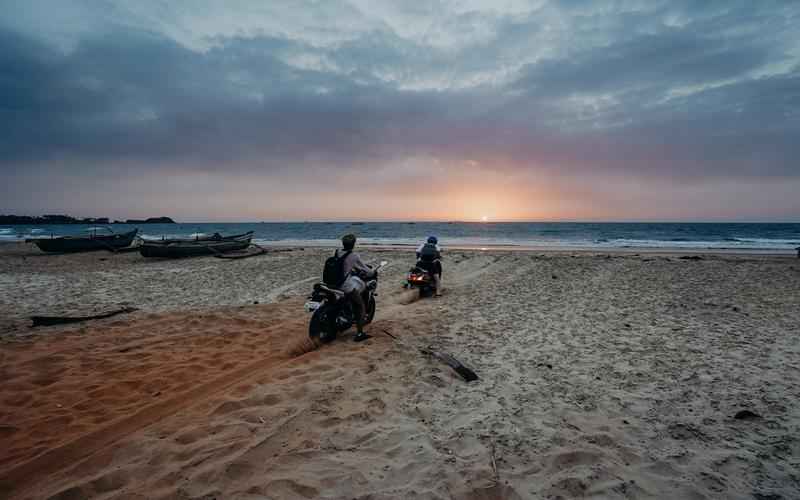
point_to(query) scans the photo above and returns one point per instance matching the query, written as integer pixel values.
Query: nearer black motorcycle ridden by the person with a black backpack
(332, 313)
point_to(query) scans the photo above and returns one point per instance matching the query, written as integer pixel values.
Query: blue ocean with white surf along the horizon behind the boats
(567, 235)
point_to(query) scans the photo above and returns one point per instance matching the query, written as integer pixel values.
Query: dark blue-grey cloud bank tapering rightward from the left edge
(142, 96)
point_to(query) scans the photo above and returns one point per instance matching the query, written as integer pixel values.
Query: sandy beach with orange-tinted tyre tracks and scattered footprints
(602, 375)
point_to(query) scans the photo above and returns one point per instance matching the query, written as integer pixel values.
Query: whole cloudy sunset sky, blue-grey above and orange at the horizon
(394, 110)
